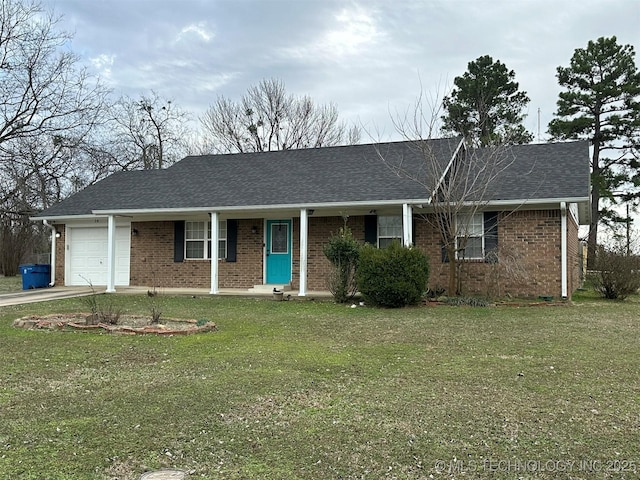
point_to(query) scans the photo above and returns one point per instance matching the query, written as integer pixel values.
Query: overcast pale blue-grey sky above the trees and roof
(371, 57)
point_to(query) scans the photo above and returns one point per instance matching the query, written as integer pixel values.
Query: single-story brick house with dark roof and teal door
(265, 217)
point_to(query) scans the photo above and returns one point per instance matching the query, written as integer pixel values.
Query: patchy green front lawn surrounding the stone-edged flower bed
(313, 390)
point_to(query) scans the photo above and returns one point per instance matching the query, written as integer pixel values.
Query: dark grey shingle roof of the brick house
(322, 175)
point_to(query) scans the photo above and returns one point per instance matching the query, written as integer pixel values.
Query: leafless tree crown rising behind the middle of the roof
(267, 119)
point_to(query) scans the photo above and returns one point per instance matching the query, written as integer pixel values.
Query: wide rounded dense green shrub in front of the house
(394, 276)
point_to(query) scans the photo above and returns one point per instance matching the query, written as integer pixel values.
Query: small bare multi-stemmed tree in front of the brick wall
(458, 189)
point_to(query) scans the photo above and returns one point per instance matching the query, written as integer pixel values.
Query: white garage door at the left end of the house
(87, 255)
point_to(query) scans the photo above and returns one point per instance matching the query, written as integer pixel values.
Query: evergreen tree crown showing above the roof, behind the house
(486, 106)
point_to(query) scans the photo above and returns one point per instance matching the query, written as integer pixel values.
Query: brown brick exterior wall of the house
(528, 243)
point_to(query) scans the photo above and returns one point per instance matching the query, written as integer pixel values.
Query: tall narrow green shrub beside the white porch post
(343, 252)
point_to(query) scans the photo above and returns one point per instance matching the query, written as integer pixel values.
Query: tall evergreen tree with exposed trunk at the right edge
(601, 103)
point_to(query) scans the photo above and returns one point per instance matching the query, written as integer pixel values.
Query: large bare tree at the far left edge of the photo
(48, 104)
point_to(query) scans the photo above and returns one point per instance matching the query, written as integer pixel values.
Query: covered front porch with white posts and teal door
(161, 252)
